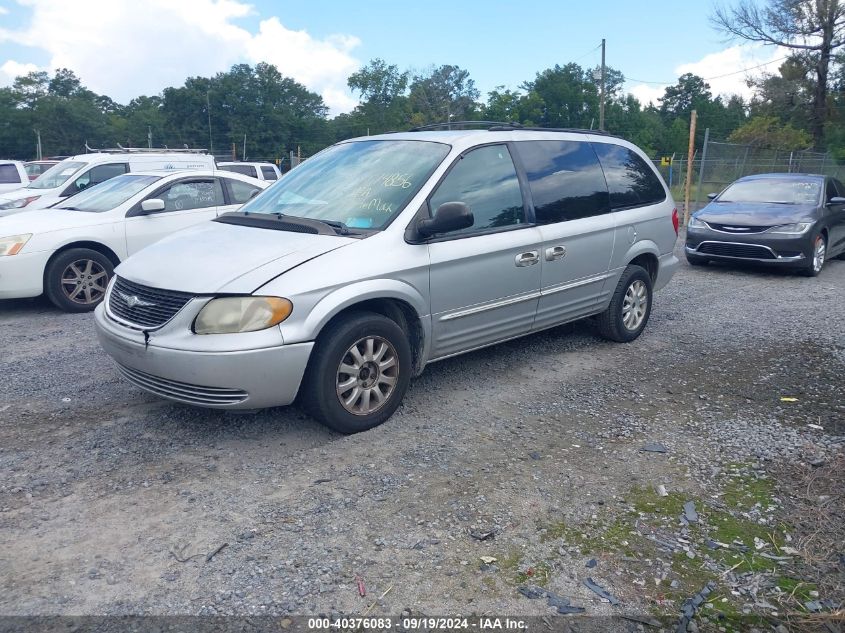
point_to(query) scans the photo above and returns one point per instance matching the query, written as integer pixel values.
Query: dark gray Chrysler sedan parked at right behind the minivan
(794, 220)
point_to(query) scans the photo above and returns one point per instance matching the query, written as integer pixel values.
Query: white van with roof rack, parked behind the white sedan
(76, 173)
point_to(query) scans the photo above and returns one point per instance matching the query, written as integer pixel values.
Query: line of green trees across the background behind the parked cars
(275, 114)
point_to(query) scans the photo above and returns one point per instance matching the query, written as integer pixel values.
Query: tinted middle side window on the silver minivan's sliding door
(565, 180)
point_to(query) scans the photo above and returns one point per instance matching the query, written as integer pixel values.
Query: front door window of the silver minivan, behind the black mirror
(485, 179)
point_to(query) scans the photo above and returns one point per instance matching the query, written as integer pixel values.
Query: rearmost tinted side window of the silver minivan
(630, 180)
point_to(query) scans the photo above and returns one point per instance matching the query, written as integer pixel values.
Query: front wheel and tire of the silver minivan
(326, 385)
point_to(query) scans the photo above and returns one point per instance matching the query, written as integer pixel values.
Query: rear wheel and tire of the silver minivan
(633, 290)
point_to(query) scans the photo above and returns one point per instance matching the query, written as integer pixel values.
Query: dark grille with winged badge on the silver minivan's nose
(143, 306)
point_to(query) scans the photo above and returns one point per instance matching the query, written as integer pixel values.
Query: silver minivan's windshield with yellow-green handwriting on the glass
(363, 184)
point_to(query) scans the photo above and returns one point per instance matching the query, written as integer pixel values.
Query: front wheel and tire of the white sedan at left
(76, 280)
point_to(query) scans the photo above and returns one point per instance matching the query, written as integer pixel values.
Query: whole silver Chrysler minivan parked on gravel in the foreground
(382, 254)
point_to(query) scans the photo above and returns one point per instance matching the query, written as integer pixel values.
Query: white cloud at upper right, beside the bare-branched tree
(723, 71)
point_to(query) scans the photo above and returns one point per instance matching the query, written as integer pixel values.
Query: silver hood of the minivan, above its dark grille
(213, 258)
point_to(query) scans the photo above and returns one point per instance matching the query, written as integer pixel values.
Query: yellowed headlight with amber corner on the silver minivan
(228, 315)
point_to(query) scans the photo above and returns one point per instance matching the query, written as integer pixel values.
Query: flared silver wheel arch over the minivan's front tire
(347, 297)
